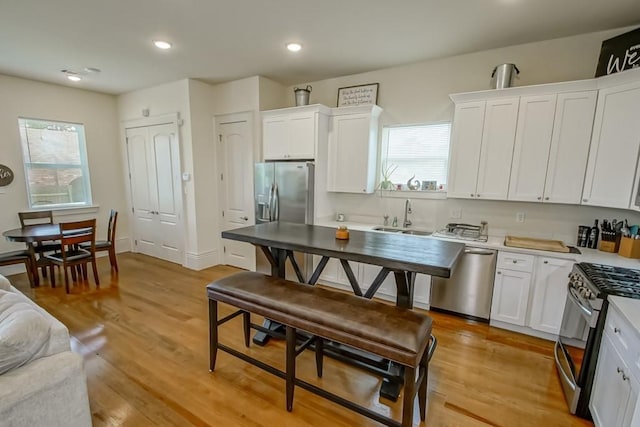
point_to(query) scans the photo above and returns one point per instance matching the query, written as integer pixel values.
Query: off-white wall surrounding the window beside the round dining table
(98, 113)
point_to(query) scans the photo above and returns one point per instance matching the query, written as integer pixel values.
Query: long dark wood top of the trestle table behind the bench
(391, 250)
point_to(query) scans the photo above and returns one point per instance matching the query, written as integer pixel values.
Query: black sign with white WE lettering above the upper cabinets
(619, 53)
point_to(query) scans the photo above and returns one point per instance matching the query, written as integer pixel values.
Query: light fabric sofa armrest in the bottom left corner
(50, 391)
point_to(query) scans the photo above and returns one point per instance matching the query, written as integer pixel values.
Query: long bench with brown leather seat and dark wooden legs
(400, 335)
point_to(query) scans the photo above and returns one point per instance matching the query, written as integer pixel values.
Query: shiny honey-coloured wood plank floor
(144, 337)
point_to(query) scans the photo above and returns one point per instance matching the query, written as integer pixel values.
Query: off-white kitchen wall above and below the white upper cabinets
(419, 93)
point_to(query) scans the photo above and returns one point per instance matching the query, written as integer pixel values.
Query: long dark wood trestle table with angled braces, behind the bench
(401, 255)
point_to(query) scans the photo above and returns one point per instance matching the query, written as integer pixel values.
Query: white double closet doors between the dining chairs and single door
(154, 167)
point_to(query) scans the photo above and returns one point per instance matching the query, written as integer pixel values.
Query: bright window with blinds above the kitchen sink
(417, 153)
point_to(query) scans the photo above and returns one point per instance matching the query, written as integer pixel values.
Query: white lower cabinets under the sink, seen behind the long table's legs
(334, 275)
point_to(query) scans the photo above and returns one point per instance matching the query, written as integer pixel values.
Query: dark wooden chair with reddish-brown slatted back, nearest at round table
(71, 254)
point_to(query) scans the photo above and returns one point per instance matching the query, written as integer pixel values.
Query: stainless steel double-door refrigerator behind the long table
(284, 192)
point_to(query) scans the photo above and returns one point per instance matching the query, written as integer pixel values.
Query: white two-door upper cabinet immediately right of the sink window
(482, 141)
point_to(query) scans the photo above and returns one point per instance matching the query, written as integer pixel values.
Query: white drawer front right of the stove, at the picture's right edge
(624, 338)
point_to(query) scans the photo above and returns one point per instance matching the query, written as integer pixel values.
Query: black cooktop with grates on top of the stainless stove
(610, 280)
